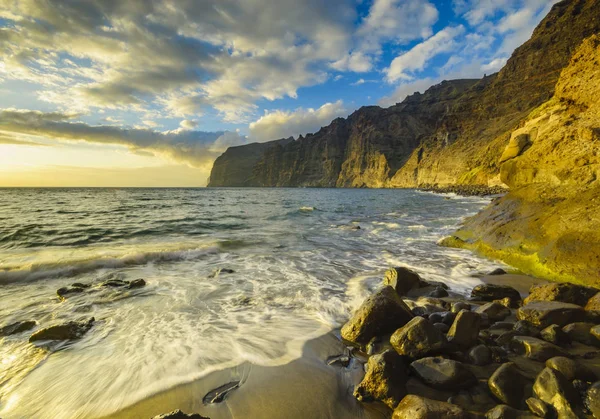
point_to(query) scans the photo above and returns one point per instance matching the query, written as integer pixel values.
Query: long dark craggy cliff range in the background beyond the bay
(453, 133)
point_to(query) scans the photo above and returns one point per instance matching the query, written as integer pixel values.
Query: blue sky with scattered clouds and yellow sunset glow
(151, 92)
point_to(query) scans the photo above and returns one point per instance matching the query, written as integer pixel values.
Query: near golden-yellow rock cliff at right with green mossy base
(549, 223)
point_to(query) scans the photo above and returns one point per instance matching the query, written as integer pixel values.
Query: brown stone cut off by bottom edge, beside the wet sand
(416, 407)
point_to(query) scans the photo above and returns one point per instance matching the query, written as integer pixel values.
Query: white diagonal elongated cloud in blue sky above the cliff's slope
(404, 66)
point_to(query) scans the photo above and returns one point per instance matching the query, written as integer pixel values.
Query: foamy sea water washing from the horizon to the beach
(300, 269)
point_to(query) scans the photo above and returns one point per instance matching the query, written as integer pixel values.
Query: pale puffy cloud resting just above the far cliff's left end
(282, 124)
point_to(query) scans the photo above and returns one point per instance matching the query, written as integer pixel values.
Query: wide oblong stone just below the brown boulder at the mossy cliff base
(545, 313)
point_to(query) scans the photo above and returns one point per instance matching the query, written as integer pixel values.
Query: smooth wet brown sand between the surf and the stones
(304, 388)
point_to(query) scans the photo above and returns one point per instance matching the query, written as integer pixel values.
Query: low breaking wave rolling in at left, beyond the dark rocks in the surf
(73, 267)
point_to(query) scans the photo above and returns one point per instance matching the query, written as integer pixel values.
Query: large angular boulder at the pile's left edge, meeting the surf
(380, 314)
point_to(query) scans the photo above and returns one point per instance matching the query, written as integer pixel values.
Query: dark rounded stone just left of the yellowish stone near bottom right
(509, 385)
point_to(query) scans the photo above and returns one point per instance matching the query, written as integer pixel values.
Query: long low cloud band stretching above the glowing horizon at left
(195, 148)
